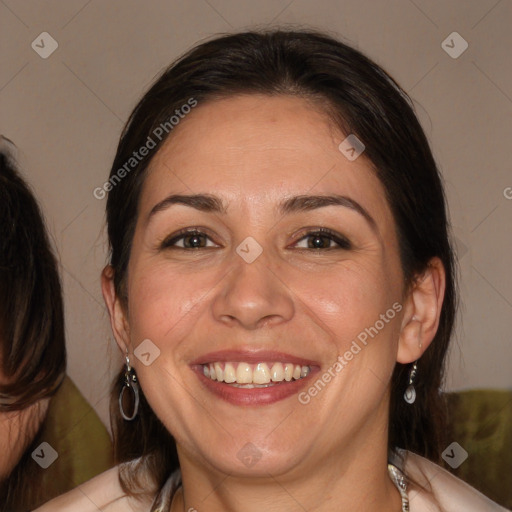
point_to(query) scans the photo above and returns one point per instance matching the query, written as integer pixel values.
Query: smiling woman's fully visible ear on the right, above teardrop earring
(422, 312)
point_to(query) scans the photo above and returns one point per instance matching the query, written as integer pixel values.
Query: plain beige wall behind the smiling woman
(65, 112)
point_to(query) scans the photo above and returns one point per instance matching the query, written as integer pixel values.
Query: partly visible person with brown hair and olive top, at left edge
(51, 439)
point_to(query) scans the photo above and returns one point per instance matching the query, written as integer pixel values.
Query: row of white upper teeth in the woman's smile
(251, 376)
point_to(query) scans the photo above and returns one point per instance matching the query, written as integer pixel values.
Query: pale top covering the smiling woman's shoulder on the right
(439, 490)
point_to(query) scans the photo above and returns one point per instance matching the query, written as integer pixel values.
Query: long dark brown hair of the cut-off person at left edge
(32, 346)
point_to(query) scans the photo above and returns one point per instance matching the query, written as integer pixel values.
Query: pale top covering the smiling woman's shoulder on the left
(102, 492)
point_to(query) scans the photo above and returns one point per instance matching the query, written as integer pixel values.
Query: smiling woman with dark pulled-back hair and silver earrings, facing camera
(283, 288)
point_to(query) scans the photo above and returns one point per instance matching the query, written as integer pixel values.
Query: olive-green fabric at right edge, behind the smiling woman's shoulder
(481, 422)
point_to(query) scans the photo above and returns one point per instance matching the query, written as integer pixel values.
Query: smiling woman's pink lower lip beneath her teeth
(254, 396)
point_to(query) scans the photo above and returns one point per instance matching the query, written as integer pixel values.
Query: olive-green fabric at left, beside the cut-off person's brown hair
(82, 442)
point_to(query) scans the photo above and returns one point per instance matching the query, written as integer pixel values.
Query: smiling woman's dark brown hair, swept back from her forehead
(361, 99)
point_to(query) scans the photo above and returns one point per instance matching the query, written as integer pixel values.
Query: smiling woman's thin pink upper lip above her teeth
(252, 356)
